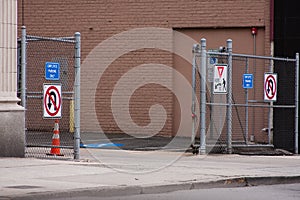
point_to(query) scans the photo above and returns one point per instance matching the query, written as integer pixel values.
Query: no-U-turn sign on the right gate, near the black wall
(270, 87)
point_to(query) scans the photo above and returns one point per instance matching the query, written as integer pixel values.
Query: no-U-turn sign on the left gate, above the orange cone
(52, 101)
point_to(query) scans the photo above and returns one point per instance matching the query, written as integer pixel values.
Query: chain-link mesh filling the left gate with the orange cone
(39, 130)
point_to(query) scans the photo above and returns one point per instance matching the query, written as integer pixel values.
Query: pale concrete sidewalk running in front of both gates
(119, 172)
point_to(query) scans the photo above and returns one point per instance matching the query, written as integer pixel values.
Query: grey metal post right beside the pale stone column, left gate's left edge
(23, 67)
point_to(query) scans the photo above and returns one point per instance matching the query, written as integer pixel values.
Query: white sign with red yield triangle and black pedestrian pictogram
(220, 79)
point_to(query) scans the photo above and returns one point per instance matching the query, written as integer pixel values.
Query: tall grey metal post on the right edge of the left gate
(77, 98)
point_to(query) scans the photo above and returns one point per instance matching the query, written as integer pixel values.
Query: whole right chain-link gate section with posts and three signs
(239, 100)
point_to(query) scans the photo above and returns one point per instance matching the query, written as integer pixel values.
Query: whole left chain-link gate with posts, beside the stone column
(50, 63)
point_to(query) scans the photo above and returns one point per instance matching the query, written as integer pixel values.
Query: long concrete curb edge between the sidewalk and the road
(154, 189)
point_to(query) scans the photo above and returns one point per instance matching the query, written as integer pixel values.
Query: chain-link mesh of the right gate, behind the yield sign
(252, 115)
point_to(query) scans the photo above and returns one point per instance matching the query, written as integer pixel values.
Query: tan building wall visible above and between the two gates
(110, 55)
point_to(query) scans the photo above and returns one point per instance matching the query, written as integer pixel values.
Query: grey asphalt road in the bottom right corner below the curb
(263, 192)
